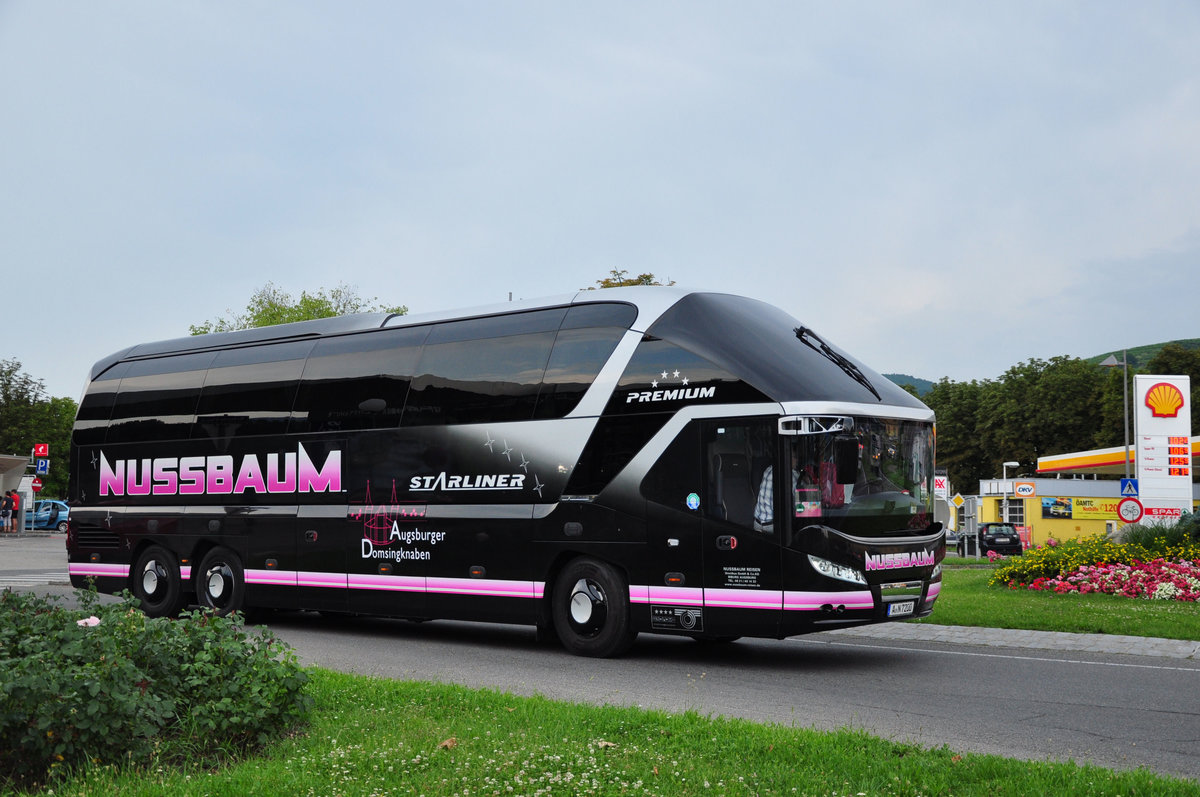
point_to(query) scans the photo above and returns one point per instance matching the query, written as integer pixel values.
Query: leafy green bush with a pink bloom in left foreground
(109, 686)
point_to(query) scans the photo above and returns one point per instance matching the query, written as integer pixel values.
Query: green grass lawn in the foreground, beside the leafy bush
(389, 738)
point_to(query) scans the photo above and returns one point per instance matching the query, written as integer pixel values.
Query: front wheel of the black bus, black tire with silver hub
(591, 609)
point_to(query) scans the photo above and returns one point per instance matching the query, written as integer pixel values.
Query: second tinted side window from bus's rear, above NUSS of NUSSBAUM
(157, 400)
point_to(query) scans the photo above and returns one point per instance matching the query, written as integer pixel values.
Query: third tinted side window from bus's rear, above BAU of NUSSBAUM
(250, 391)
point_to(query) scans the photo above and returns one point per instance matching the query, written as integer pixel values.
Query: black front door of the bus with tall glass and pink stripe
(742, 552)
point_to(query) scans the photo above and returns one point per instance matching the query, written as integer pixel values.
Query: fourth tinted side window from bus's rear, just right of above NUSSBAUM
(358, 381)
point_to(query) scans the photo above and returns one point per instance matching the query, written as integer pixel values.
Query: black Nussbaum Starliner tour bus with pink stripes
(597, 466)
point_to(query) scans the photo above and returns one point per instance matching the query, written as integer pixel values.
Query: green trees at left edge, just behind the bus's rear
(28, 416)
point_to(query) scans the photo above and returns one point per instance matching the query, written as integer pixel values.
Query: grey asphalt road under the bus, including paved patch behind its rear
(1114, 702)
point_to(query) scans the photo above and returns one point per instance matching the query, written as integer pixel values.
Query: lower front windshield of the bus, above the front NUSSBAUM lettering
(862, 476)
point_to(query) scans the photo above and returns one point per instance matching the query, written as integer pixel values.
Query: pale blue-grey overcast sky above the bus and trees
(940, 189)
